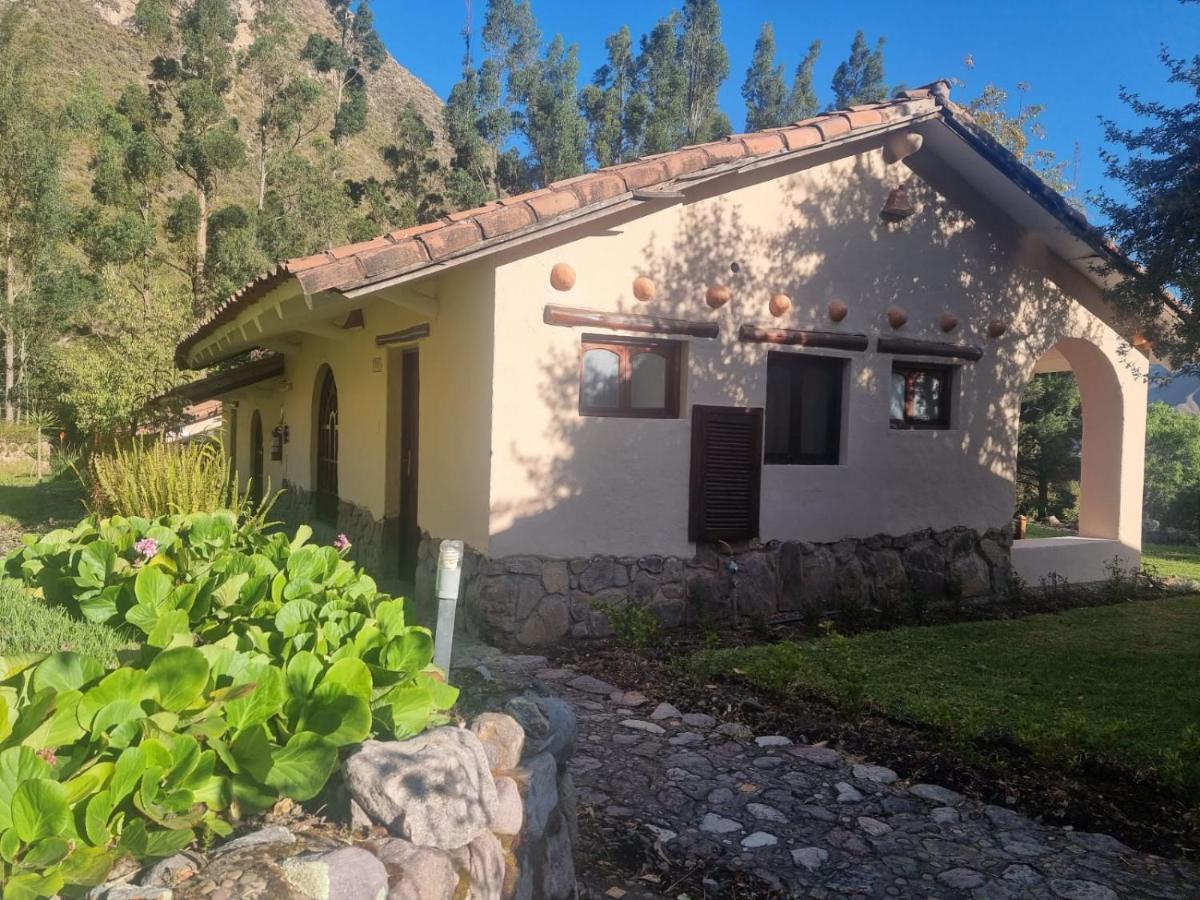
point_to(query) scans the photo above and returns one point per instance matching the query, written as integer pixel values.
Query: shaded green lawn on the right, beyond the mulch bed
(1117, 683)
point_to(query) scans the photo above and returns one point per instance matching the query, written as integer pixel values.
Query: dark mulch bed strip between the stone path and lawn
(1145, 815)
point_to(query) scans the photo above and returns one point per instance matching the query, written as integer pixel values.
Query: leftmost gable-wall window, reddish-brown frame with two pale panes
(629, 377)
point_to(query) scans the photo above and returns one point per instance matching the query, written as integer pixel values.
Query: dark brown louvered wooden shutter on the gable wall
(727, 473)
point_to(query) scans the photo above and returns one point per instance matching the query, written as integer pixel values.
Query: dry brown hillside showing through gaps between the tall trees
(95, 37)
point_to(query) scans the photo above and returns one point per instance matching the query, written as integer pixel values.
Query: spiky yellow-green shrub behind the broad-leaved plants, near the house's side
(155, 478)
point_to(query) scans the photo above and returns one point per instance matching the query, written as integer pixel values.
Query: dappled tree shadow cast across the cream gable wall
(826, 242)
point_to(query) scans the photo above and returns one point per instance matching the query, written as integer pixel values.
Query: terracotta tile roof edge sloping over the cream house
(409, 250)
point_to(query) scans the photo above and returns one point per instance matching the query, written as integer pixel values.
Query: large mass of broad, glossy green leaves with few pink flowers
(263, 658)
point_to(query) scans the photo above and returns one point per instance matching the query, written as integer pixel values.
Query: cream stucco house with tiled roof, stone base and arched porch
(803, 350)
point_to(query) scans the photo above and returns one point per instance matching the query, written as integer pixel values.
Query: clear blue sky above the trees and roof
(1075, 55)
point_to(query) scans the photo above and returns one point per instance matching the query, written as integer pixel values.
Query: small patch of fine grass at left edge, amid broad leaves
(33, 627)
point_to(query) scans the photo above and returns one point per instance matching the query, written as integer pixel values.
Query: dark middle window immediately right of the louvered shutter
(803, 410)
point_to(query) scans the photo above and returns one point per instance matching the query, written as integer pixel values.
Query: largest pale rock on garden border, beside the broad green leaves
(435, 790)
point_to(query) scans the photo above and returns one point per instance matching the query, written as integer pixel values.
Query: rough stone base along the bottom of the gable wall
(531, 601)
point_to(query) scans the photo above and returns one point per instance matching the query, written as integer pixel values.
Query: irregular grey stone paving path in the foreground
(811, 823)
